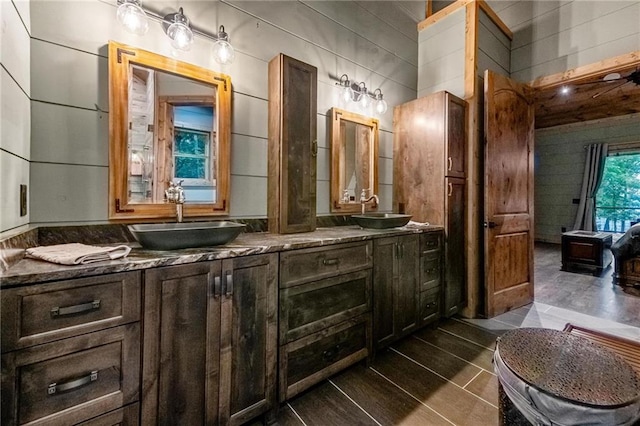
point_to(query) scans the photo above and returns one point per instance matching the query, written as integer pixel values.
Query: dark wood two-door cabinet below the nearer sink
(210, 341)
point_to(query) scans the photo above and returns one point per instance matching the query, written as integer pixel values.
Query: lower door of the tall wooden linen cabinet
(455, 270)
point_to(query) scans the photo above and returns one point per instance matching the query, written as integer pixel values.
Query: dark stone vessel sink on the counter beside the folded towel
(171, 236)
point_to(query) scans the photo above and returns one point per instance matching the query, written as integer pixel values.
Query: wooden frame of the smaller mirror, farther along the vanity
(337, 160)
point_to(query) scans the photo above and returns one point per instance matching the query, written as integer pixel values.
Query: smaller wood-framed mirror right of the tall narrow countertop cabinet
(354, 160)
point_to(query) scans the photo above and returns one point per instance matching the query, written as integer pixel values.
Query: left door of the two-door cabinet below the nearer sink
(181, 345)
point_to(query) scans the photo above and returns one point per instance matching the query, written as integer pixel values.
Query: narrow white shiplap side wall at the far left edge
(15, 87)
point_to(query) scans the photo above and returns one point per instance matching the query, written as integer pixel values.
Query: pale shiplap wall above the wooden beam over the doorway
(554, 36)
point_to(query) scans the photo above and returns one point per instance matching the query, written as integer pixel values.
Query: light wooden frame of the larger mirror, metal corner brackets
(120, 57)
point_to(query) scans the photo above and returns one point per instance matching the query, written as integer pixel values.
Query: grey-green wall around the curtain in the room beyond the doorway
(560, 158)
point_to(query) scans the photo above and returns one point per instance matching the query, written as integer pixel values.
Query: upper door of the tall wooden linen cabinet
(455, 117)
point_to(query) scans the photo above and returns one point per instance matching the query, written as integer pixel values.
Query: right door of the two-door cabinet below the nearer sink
(248, 357)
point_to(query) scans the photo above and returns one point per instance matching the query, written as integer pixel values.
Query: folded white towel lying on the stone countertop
(77, 254)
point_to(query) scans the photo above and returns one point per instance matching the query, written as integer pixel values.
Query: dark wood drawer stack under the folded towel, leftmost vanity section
(71, 351)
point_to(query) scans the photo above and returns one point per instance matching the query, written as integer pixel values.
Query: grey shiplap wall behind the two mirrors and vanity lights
(375, 42)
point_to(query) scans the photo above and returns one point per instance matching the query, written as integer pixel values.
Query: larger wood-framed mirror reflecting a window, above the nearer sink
(169, 121)
